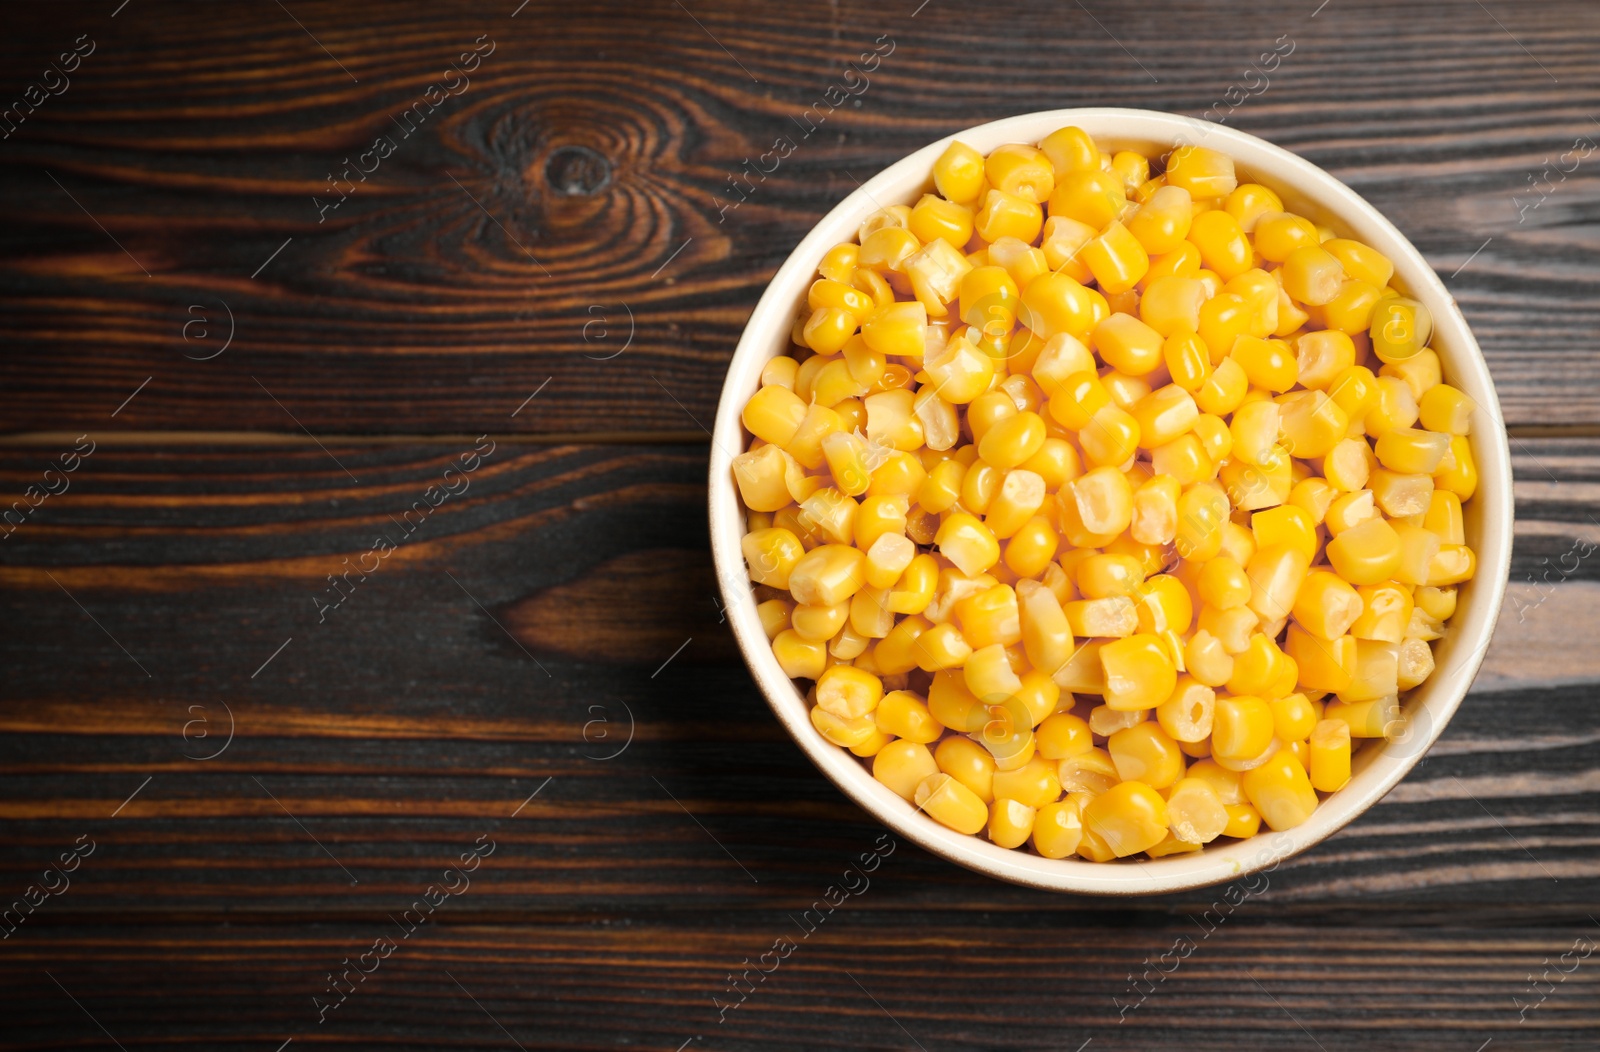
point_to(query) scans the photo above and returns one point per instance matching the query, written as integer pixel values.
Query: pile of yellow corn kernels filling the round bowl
(1102, 508)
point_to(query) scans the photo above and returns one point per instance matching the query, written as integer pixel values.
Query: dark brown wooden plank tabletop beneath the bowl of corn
(284, 266)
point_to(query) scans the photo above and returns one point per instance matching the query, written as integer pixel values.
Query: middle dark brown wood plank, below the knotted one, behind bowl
(514, 639)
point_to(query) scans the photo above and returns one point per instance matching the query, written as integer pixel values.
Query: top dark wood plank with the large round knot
(596, 151)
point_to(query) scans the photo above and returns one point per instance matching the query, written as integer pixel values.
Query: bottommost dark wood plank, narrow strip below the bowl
(914, 979)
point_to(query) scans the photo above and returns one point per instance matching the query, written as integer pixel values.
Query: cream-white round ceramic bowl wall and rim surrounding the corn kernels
(1308, 191)
